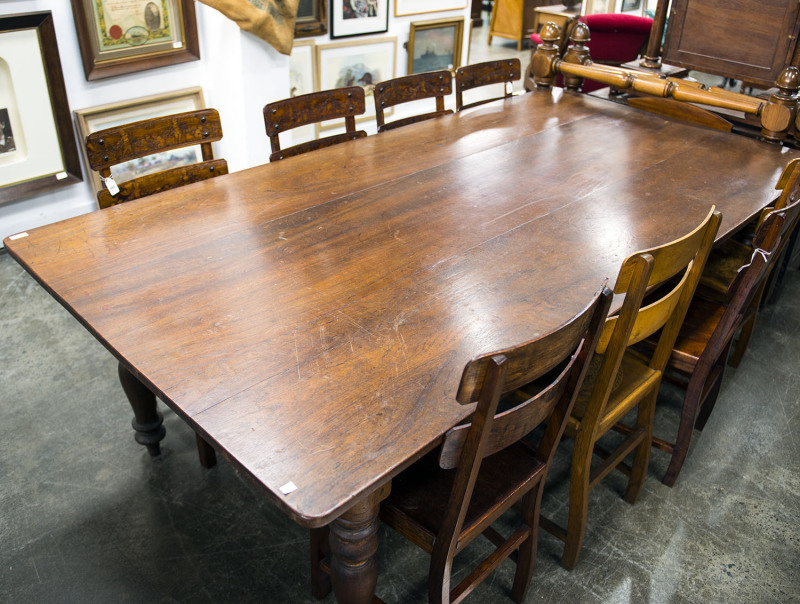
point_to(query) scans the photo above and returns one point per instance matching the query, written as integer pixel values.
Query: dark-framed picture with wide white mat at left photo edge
(37, 142)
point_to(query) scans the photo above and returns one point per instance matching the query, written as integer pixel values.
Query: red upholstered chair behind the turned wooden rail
(616, 39)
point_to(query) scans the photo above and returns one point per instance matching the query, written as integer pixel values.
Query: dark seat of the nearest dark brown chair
(421, 493)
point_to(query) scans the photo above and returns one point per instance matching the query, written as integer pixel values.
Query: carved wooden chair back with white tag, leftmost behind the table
(113, 146)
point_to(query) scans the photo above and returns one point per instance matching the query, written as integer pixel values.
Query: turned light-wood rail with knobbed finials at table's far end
(778, 115)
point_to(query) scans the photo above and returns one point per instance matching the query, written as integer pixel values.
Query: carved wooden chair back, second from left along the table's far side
(313, 108)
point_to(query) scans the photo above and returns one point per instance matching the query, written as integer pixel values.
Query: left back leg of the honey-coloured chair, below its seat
(578, 500)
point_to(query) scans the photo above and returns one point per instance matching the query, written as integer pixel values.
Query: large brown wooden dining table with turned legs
(310, 318)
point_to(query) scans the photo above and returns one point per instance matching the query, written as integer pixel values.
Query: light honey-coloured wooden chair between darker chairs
(621, 380)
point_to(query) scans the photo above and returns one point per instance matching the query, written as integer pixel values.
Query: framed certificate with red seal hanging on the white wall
(122, 36)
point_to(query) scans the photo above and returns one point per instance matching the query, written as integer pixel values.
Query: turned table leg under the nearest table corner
(353, 543)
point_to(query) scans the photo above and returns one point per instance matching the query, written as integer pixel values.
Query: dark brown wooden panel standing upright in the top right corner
(740, 39)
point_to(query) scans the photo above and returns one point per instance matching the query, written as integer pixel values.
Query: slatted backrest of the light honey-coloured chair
(682, 260)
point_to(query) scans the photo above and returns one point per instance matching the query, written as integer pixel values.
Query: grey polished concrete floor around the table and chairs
(86, 516)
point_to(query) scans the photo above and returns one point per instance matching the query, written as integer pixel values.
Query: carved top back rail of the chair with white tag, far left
(131, 141)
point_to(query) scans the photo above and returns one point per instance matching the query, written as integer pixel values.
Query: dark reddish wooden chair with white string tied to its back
(699, 355)
